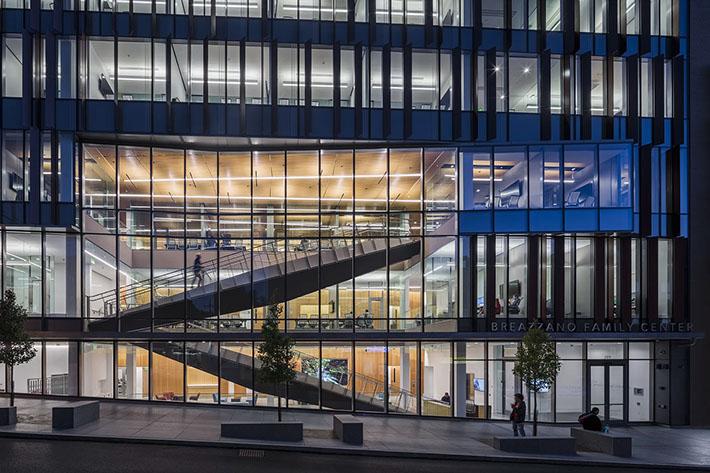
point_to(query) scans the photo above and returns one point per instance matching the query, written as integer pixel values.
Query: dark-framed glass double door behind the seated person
(606, 389)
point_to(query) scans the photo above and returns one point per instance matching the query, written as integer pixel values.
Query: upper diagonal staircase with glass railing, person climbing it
(265, 273)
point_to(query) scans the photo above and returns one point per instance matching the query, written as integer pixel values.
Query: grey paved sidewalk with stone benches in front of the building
(383, 435)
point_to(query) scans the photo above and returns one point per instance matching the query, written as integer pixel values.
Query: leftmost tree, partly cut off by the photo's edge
(15, 344)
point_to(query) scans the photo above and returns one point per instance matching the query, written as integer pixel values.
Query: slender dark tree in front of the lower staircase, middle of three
(275, 353)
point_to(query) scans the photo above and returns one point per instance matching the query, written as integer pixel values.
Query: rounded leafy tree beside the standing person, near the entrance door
(537, 364)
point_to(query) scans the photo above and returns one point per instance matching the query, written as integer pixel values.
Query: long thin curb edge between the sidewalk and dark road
(345, 451)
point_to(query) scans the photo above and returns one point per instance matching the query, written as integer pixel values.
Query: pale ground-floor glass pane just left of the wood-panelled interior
(97, 369)
